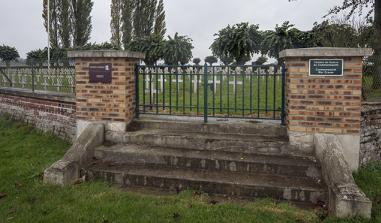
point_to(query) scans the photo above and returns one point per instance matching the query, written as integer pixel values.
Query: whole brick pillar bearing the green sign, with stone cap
(328, 103)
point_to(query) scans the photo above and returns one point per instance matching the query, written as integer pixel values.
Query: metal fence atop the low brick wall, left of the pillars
(56, 79)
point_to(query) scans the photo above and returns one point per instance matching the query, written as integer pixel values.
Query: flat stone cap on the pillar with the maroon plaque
(105, 54)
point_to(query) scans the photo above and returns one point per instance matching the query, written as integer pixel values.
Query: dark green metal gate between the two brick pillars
(255, 92)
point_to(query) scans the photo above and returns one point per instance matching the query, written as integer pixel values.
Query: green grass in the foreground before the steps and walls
(26, 152)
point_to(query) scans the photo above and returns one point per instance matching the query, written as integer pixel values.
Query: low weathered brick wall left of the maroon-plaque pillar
(49, 112)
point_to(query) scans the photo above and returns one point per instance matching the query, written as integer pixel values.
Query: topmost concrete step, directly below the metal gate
(243, 127)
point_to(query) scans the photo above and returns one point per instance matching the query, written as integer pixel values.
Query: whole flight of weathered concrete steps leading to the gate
(246, 160)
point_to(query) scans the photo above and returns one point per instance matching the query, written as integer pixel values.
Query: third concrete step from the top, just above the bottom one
(133, 154)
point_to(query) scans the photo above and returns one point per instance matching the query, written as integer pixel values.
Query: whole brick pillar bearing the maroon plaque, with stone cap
(105, 87)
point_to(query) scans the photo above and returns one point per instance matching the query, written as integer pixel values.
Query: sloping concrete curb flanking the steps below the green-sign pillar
(345, 198)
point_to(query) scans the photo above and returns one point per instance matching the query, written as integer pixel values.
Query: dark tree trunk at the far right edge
(377, 55)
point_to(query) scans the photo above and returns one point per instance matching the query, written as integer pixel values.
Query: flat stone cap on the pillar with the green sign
(326, 52)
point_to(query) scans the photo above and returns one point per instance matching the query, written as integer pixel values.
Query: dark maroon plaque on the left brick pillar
(100, 73)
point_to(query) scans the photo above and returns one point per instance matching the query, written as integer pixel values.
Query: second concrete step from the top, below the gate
(201, 141)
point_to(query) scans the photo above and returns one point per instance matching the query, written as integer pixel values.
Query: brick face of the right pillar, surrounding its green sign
(323, 104)
